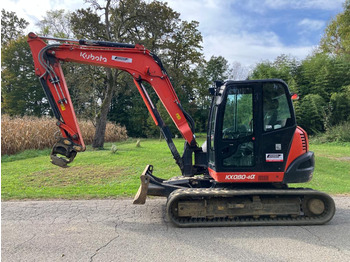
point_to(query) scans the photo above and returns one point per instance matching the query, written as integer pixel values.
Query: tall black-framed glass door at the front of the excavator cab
(235, 148)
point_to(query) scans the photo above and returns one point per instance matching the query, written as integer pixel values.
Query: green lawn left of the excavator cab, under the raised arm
(93, 174)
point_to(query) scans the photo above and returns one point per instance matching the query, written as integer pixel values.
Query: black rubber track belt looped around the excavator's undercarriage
(194, 193)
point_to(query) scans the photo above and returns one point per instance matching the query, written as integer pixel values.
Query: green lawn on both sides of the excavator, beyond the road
(102, 174)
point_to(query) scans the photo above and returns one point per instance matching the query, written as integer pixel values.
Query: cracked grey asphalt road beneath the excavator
(116, 230)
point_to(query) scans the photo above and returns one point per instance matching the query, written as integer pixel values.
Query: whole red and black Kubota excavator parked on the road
(239, 177)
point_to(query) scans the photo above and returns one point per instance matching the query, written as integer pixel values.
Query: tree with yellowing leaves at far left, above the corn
(21, 93)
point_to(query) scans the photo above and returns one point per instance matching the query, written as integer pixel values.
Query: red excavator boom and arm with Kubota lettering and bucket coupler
(139, 62)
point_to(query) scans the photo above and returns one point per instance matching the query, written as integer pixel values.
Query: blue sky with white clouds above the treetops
(243, 31)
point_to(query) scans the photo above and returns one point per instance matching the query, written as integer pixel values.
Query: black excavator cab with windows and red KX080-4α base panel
(251, 127)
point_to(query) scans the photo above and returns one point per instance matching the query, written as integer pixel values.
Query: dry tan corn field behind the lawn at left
(19, 134)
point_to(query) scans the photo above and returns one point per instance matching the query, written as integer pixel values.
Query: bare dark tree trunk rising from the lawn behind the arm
(101, 118)
